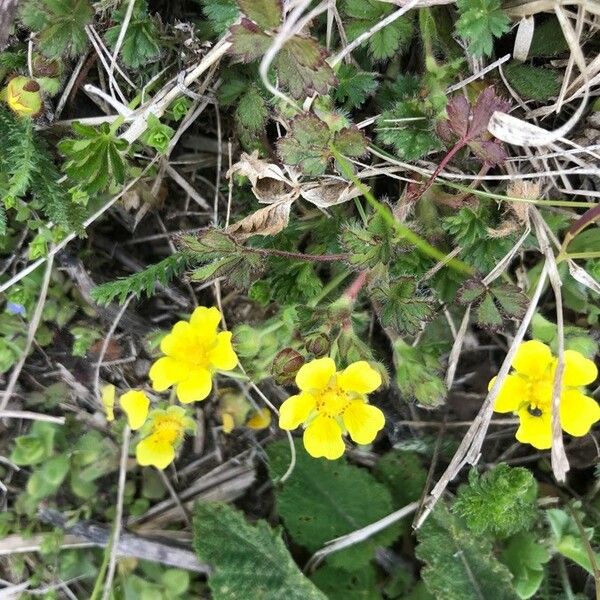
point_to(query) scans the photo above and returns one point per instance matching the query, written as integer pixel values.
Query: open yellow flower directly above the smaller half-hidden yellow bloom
(194, 351)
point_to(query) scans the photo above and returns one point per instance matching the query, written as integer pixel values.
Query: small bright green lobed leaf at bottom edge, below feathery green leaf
(525, 557)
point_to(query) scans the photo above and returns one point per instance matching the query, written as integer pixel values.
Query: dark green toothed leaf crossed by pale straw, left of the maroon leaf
(407, 128)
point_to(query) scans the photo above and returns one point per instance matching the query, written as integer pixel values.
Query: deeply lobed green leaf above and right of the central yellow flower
(401, 307)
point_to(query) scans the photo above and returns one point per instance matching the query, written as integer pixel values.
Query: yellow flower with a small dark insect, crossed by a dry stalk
(528, 392)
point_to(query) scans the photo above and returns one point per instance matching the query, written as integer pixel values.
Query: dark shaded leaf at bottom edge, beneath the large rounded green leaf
(337, 584)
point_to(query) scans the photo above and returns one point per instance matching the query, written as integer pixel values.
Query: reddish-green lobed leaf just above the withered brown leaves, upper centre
(311, 144)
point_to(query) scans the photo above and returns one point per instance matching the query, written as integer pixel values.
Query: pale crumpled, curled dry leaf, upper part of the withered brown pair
(269, 183)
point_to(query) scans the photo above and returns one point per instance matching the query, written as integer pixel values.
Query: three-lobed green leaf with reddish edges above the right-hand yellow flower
(494, 303)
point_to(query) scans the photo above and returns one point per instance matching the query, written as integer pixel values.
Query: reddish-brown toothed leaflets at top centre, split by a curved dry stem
(300, 65)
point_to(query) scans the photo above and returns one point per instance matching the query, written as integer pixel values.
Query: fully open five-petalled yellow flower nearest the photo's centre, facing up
(331, 404)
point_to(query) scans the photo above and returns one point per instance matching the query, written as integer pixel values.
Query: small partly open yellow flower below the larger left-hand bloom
(165, 430)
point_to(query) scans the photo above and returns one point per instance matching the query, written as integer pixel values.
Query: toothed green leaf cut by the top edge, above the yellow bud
(60, 23)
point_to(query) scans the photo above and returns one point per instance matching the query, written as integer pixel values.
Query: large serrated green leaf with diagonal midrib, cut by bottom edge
(248, 561)
